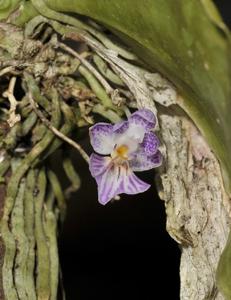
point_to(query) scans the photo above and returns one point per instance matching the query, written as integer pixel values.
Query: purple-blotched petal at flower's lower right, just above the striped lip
(142, 162)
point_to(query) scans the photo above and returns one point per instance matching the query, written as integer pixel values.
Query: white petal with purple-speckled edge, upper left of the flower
(102, 138)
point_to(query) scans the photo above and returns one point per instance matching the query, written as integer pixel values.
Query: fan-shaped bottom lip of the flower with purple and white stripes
(118, 179)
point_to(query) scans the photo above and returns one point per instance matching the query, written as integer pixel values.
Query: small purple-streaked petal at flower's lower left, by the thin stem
(98, 164)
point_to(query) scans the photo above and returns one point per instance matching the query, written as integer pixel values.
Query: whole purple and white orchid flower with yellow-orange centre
(127, 146)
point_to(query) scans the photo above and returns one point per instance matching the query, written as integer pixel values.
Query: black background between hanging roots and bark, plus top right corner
(121, 250)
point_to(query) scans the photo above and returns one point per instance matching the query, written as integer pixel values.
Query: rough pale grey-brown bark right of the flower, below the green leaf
(196, 206)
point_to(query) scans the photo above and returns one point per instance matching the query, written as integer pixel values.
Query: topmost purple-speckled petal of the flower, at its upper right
(143, 117)
